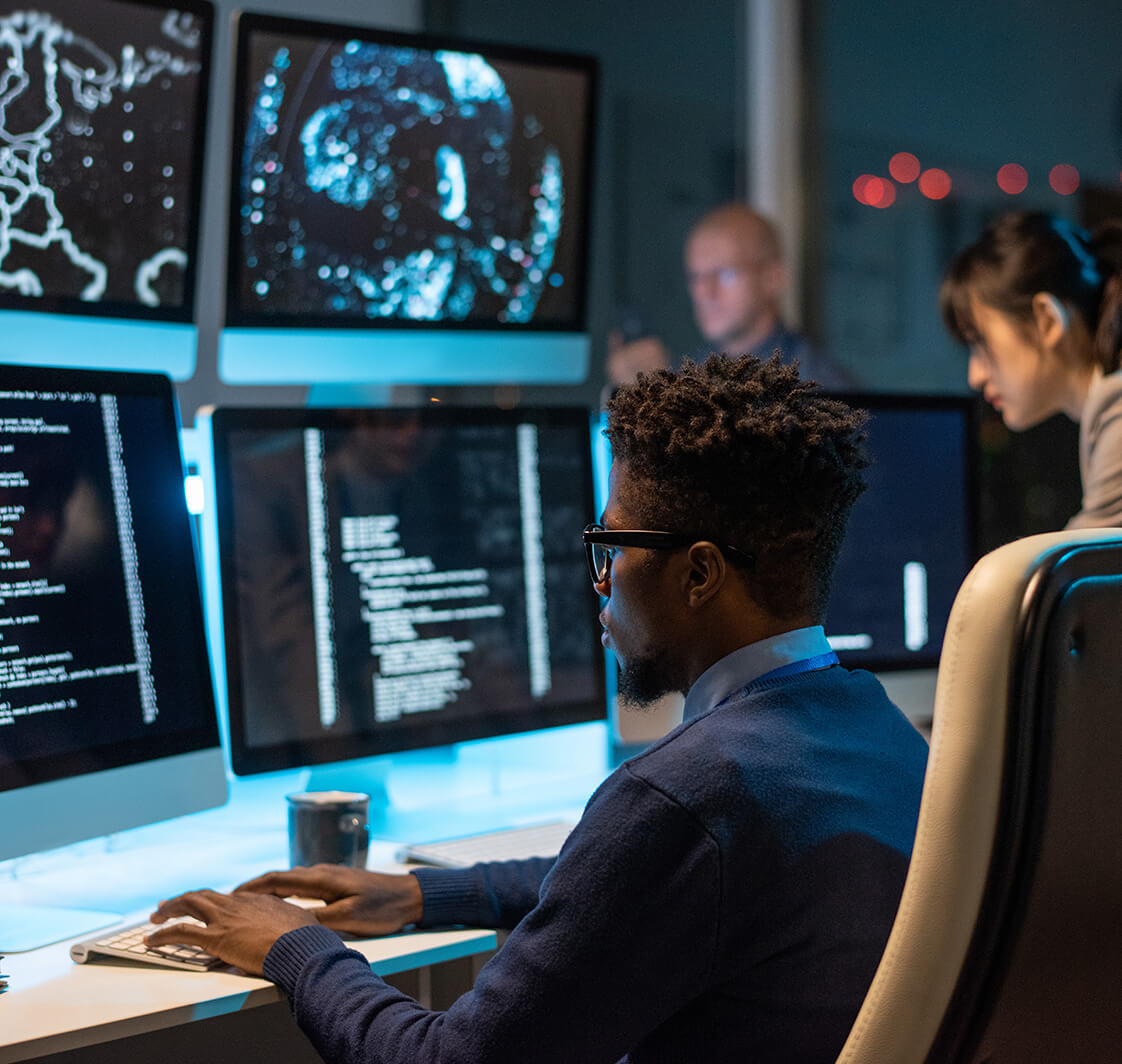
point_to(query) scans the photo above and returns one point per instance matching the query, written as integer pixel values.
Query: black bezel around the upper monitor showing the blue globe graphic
(249, 23)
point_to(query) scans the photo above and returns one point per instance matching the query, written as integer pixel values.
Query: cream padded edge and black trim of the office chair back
(986, 805)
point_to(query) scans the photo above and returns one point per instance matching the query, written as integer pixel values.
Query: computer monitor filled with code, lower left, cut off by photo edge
(107, 708)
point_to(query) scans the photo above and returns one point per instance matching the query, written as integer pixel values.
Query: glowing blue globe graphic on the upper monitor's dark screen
(381, 182)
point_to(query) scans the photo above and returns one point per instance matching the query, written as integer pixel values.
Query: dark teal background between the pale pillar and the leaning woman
(967, 88)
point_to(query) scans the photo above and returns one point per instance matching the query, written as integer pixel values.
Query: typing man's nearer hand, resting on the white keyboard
(241, 929)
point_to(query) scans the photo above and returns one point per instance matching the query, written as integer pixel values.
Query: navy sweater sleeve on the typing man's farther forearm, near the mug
(495, 895)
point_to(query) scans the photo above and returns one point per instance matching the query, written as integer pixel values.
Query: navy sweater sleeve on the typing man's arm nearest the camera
(609, 953)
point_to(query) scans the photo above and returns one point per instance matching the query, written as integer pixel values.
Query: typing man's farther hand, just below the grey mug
(357, 902)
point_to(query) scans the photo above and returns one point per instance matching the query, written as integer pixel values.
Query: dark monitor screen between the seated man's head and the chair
(912, 536)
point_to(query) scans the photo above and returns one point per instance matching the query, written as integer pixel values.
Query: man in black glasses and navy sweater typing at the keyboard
(728, 894)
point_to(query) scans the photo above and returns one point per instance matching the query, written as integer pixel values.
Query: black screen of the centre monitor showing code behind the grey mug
(402, 579)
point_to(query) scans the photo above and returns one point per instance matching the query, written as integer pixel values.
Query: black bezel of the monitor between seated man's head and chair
(968, 408)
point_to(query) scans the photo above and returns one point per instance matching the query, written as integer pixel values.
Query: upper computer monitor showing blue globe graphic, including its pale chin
(388, 186)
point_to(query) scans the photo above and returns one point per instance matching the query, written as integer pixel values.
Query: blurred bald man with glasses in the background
(737, 278)
